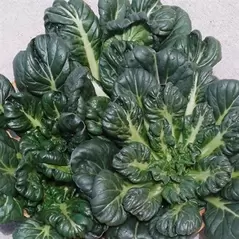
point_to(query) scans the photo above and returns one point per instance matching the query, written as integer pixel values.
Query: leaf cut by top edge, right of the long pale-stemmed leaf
(110, 10)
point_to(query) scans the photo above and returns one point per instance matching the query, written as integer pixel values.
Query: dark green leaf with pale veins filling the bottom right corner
(221, 219)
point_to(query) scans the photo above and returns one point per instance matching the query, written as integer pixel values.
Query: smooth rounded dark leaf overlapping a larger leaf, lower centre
(107, 198)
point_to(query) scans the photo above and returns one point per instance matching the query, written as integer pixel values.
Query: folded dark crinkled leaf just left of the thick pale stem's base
(78, 89)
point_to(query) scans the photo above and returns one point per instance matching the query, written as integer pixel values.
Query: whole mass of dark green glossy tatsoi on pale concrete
(158, 145)
